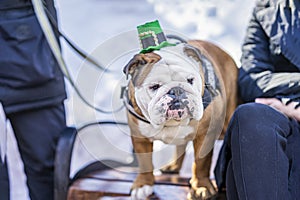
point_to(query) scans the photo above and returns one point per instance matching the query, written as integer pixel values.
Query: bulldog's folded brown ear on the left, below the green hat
(140, 60)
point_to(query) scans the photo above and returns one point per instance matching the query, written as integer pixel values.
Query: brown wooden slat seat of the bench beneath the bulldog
(116, 184)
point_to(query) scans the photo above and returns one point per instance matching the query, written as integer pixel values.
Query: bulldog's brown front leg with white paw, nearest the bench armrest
(143, 184)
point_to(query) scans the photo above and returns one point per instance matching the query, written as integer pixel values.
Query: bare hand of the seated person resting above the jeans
(289, 110)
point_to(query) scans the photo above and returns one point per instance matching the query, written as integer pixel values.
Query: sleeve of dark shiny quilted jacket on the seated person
(257, 75)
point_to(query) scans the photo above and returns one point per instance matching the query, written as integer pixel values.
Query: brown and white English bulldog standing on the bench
(180, 93)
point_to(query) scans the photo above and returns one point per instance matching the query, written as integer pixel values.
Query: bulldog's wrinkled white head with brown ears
(168, 85)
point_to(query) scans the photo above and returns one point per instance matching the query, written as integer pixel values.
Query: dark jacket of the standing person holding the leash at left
(29, 74)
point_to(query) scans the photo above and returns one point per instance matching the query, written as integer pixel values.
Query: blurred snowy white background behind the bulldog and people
(106, 29)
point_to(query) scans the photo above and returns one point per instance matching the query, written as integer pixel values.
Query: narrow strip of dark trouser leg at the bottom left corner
(4, 181)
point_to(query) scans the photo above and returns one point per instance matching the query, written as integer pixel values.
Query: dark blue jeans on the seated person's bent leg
(265, 155)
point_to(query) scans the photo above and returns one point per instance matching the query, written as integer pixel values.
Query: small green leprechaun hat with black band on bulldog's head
(152, 37)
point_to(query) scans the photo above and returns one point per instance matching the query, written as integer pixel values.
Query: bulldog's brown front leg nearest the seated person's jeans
(202, 187)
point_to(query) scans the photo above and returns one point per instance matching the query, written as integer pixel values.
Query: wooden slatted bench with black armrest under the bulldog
(107, 179)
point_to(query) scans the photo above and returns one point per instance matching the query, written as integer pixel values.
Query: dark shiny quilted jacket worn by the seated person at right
(270, 63)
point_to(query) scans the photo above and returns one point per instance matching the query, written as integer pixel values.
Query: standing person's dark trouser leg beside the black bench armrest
(37, 133)
